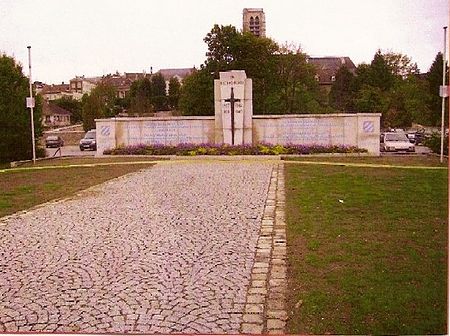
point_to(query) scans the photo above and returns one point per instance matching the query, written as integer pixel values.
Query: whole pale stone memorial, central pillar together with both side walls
(233, 123)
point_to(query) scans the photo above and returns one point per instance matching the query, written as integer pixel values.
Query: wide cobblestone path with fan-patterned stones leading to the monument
(168, 249)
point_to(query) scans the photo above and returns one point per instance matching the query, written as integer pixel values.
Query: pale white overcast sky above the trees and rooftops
(97, 37)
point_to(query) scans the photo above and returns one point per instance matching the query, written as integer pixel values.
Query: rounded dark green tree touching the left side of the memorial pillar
(197, 94)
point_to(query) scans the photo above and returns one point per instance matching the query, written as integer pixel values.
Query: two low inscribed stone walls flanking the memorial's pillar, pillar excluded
(361, 130)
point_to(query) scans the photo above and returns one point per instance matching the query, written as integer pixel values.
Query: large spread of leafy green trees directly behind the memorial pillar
(283, 81)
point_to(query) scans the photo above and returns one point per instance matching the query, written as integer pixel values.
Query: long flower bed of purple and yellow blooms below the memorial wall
(224, 149)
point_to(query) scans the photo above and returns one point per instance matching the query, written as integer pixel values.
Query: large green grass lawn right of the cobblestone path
(367, 248)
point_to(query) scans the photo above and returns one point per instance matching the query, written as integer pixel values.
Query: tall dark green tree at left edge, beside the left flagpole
(15, 118)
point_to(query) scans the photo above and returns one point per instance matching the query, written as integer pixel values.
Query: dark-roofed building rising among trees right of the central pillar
(327, 68)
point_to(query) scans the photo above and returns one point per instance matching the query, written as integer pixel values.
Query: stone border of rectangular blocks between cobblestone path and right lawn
(265, 309)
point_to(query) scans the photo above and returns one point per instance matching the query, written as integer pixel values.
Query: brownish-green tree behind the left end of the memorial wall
(99, 104)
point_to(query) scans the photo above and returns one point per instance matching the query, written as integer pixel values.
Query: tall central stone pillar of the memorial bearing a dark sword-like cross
(233, 108)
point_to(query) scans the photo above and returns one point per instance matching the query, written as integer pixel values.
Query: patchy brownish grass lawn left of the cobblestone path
(22, 189)
